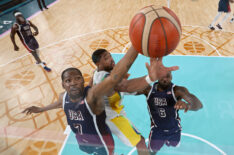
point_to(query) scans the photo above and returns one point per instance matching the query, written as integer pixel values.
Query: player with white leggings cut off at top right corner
(224, 6)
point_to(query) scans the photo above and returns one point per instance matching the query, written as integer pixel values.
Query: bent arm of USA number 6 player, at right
(193, 104)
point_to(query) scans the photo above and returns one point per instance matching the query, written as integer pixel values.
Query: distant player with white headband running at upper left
(23, 28)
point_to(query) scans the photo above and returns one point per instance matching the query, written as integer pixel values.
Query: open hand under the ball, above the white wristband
(157, 70)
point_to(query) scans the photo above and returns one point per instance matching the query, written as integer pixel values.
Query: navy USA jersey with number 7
(90, 129)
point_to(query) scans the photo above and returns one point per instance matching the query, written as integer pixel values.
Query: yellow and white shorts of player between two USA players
(124, 130)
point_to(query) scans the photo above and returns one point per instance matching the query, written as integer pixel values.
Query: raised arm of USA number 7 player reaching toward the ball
(97, 92)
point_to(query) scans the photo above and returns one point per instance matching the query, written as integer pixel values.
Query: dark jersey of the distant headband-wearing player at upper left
(25, 34)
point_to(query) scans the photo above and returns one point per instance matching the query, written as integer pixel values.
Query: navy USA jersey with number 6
(161, 108)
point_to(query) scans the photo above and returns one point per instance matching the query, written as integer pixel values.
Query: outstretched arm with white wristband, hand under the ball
(156, 70)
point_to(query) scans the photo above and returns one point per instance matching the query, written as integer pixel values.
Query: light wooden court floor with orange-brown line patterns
(68, 34)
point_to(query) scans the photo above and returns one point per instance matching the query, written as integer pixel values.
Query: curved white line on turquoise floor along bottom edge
(192, 136)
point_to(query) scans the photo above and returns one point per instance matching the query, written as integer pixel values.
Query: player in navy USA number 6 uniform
(164, 99)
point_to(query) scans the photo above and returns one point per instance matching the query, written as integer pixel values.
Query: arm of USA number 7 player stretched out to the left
(55, 105)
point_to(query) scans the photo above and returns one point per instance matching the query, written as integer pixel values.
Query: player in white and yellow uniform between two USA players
(116, 117)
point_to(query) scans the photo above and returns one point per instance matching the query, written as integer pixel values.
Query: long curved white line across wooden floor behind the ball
(81, 35)
